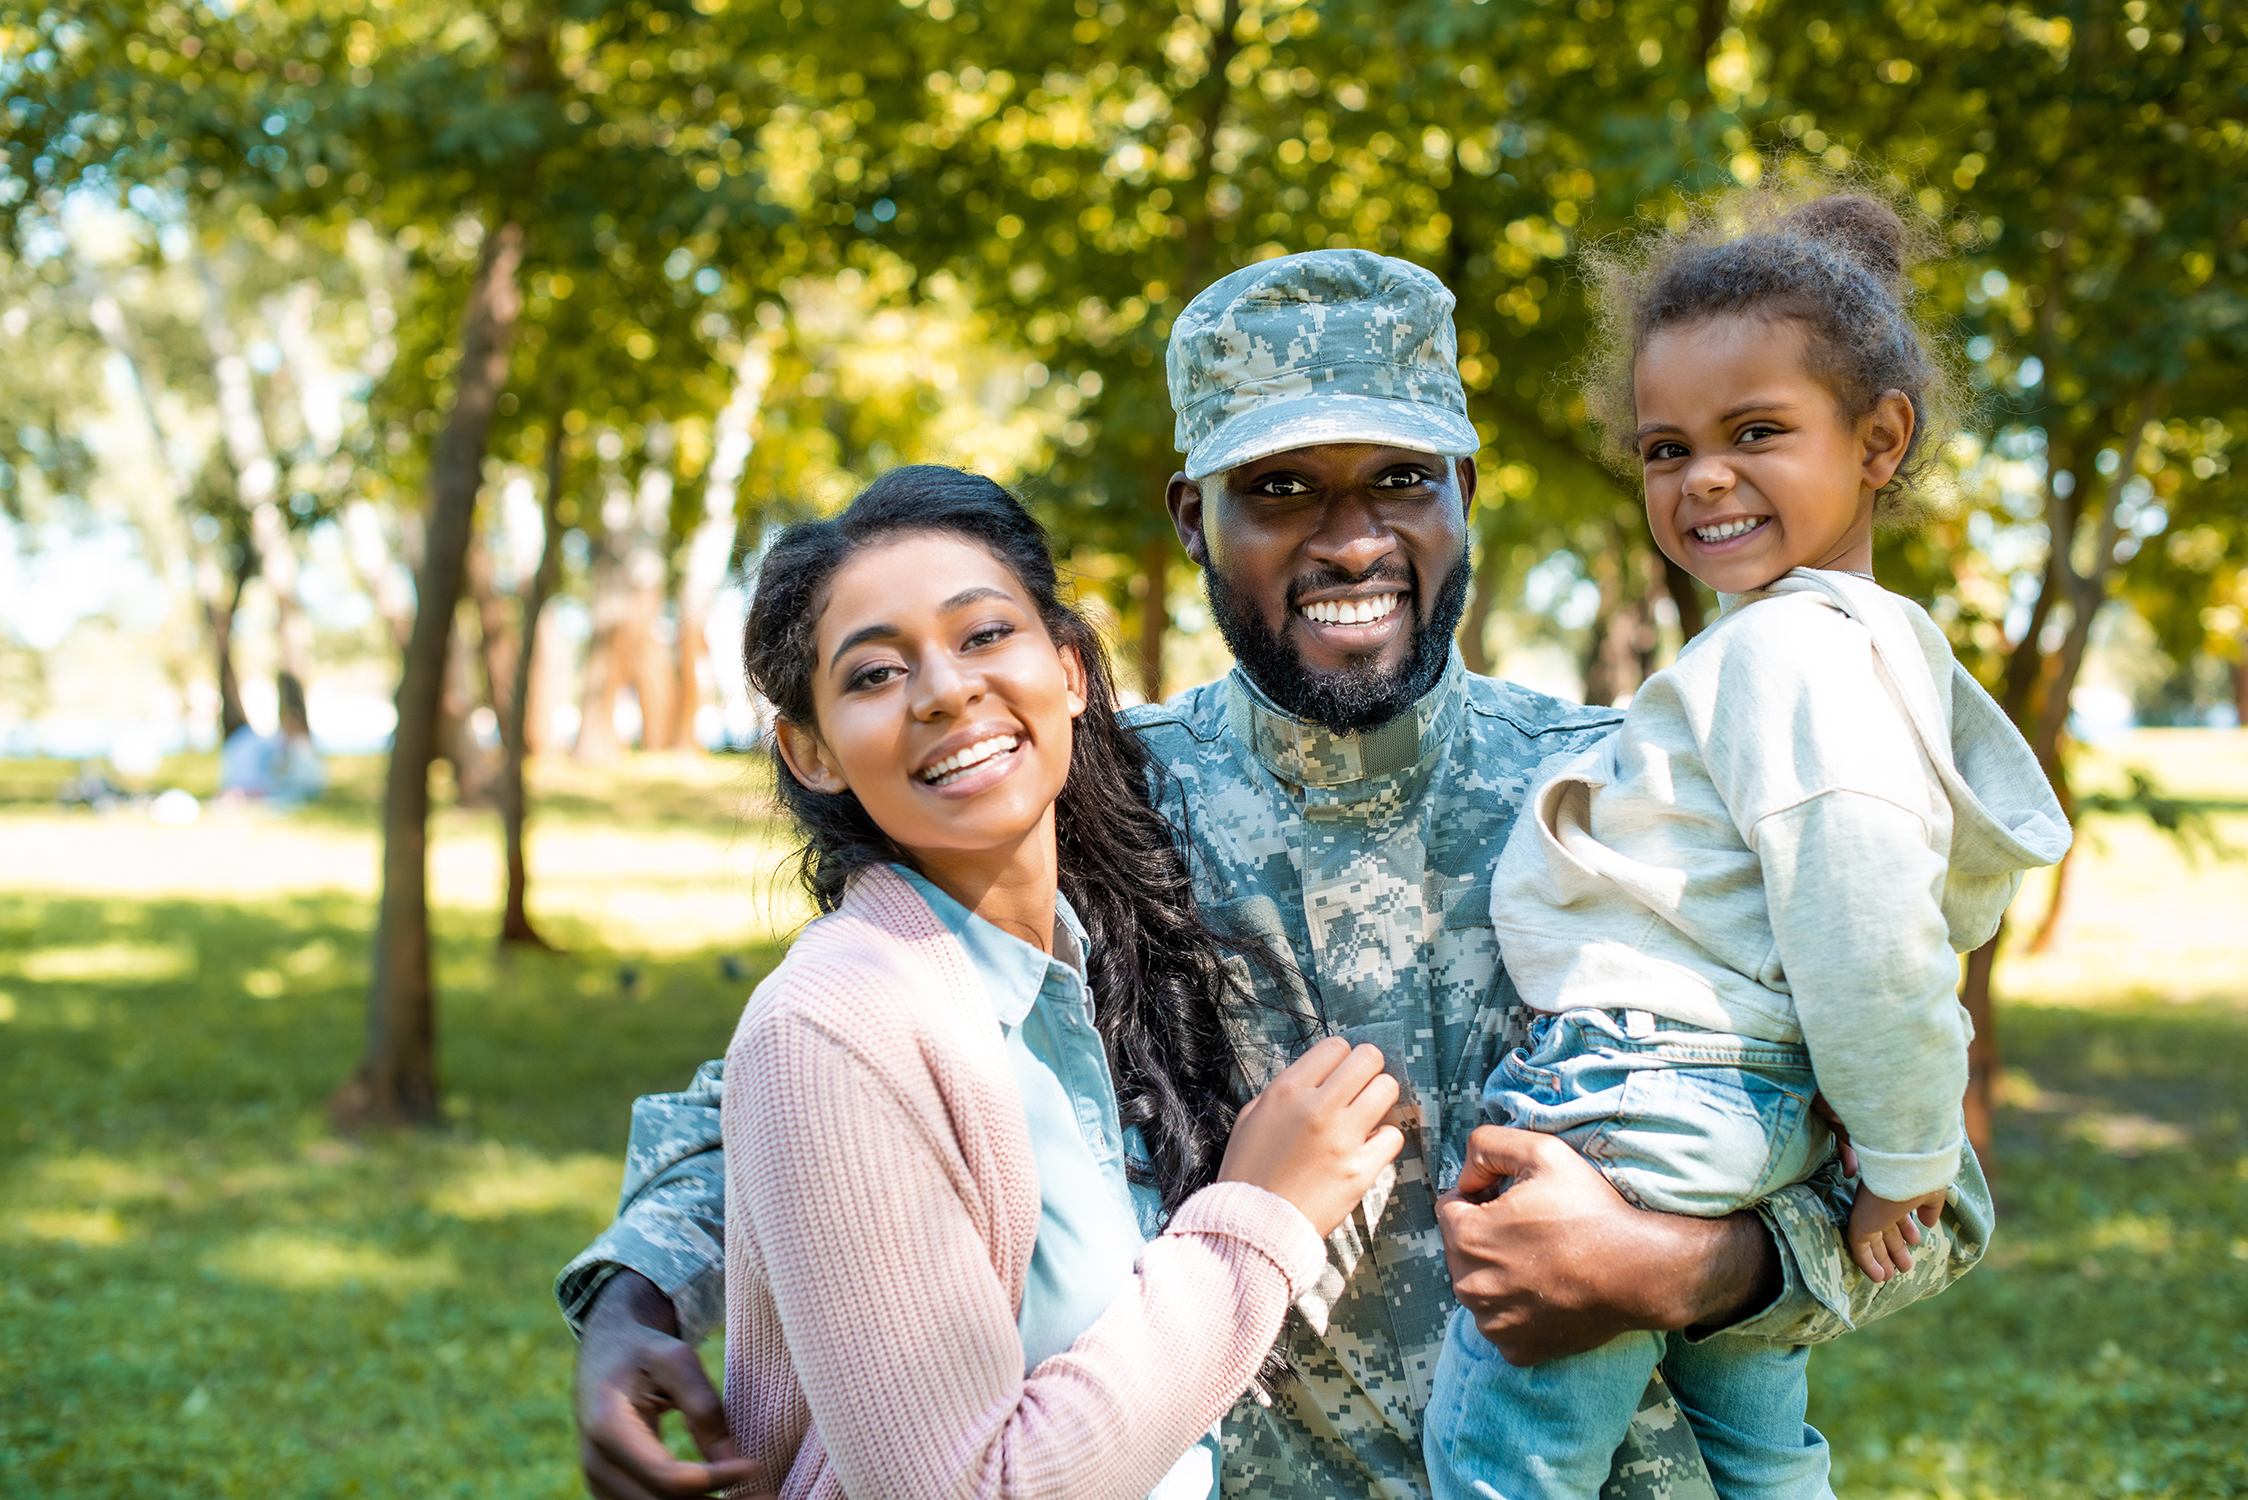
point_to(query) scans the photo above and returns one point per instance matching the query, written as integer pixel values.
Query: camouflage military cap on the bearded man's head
(1323, 347)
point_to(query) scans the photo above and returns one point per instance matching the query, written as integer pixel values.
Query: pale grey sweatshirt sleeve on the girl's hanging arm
(1856, 901)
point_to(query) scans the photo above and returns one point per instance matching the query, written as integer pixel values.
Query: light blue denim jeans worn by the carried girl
(1687, 1123)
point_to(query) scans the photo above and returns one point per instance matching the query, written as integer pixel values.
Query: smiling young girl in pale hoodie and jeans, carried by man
(1757, 889)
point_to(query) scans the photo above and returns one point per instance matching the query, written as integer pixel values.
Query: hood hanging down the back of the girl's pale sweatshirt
(2004, 815)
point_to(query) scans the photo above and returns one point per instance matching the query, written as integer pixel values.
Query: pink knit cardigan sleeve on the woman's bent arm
(903, 1337)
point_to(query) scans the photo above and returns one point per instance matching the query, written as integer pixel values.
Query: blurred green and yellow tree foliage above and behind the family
(907, 210)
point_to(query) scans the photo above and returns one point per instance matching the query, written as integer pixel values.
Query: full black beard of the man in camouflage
(1361, 696)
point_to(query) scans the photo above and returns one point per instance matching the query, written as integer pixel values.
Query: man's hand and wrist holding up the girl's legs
(1561, 1263)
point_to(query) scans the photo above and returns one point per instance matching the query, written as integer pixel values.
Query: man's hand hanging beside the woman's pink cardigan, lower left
(631, 1371)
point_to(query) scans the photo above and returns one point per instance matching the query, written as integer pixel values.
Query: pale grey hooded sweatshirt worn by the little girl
(1791, 838)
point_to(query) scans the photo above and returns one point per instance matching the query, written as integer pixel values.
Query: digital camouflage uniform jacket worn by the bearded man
(1368, 860)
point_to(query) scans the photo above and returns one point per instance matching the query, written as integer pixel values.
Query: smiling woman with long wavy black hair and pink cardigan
(936, 1207)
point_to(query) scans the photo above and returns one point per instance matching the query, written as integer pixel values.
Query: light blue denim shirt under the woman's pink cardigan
(1091, 1220)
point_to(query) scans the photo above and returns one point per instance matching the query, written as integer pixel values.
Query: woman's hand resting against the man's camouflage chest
(1316, 1135)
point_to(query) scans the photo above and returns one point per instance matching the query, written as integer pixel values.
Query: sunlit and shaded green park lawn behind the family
(206, 1292)
